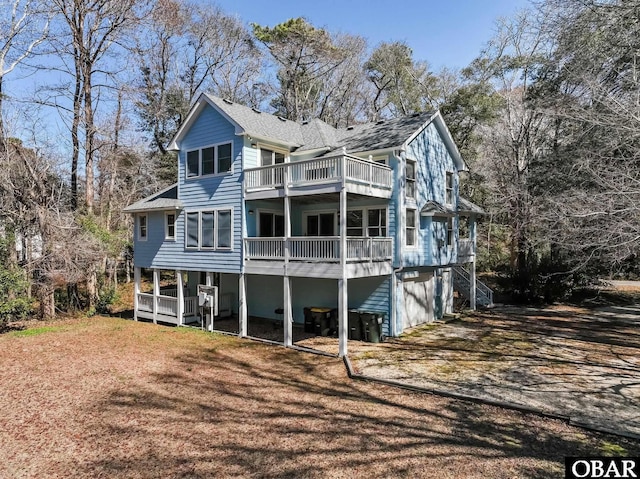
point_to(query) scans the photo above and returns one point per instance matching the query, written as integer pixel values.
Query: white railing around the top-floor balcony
(319, 170)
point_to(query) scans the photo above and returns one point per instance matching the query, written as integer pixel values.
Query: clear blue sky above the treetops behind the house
(444, 33)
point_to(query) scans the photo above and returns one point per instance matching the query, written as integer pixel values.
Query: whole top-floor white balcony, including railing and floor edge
(319, 175)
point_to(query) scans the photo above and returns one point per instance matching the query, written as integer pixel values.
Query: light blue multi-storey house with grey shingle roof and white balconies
(285, 216)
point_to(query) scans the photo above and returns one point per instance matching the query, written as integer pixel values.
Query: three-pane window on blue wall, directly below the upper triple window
(210, 229)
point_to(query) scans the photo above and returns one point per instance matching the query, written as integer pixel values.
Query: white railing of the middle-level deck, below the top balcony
(324, 249)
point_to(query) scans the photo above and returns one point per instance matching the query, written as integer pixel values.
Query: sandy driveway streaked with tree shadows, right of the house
(579, 363)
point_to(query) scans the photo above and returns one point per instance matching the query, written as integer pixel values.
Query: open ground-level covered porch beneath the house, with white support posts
(258, 306)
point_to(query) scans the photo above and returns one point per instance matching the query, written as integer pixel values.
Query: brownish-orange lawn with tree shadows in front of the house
(106, 397)
